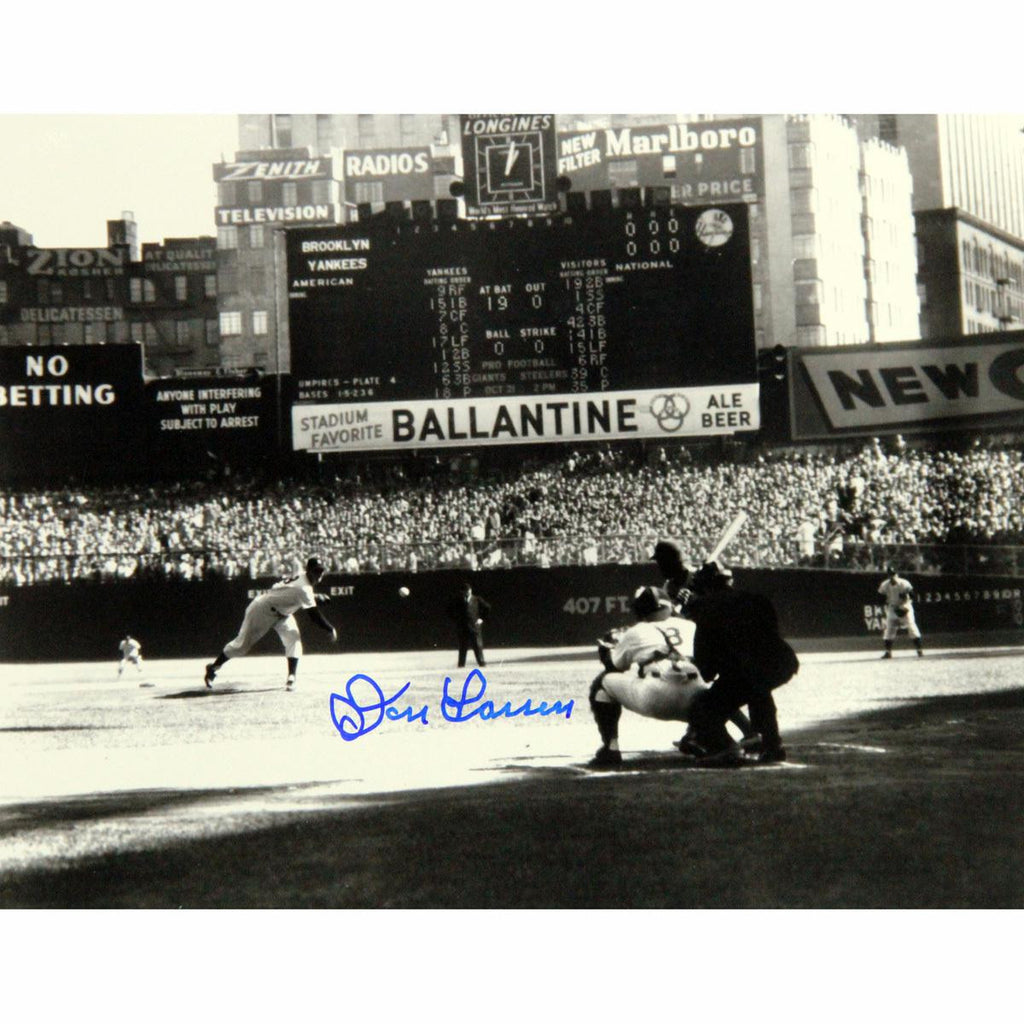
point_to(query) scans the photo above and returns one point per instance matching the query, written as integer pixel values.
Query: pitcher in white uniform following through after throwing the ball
(276, 611)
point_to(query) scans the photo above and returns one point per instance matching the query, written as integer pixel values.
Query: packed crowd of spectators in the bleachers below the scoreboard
(594, 506)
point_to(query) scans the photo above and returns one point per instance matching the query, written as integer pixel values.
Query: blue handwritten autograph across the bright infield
(364, 706)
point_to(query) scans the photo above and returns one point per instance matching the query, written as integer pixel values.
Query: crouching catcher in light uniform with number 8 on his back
(660, 645)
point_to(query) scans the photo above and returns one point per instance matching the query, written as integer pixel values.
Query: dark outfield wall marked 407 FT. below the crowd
(532, 608)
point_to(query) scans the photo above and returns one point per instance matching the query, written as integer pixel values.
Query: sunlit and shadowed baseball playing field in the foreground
(904, 790)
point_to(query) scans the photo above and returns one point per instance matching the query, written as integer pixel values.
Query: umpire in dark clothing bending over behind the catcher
(739, 650)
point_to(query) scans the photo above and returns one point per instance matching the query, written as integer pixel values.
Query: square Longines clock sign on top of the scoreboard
(509, 164)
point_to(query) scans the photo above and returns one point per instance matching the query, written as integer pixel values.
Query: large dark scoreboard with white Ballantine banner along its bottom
(440, 333)
